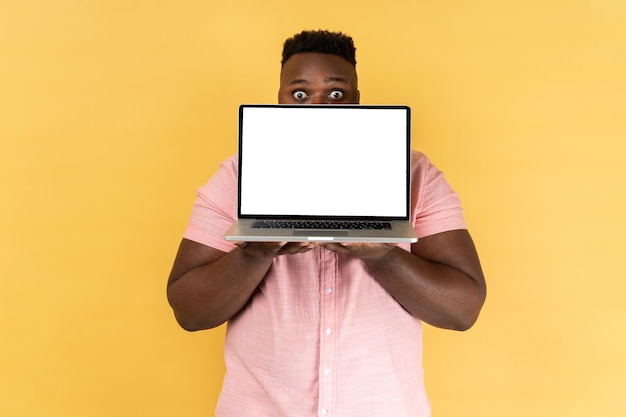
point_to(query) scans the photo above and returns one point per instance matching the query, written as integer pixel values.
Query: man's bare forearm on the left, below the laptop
(209, 294)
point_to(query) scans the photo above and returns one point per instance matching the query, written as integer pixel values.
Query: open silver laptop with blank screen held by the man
(323, 173)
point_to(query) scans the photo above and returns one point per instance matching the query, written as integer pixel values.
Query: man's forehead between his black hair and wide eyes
(311, 66)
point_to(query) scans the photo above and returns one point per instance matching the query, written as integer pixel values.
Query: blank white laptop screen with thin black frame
(347, 161)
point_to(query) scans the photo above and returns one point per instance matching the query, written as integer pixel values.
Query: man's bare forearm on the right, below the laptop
(436, 293)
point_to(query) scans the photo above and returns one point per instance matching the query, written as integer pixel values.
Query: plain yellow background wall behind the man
(113, 113)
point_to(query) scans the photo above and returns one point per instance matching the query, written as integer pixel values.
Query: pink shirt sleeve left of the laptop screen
(215, 208)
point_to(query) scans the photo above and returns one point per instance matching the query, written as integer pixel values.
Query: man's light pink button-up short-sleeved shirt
(320, 336)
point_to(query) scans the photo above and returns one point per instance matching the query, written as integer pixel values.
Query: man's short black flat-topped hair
(320, 41)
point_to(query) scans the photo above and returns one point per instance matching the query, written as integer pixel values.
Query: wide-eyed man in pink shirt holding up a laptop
(328, 328)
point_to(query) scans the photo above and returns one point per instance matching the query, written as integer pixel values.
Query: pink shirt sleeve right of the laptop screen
(436, 208)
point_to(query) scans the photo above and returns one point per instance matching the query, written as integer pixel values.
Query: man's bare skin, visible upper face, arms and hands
(440, 281)
